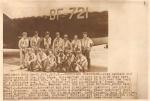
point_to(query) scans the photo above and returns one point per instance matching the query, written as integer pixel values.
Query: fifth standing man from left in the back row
(66, 44)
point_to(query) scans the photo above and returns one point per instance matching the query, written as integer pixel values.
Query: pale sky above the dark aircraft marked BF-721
(28, 8)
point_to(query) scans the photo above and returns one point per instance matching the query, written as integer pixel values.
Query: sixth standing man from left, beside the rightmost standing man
(76, 44)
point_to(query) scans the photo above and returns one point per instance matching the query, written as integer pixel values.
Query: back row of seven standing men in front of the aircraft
(84, 45)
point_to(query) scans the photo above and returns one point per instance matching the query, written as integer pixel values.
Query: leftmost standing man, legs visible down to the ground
(23, 45)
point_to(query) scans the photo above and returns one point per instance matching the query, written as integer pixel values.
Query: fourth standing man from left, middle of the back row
(57, 44)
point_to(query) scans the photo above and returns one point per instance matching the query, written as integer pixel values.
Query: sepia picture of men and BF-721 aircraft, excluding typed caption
(69, 39)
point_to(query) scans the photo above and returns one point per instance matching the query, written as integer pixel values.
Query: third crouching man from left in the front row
(51, 64)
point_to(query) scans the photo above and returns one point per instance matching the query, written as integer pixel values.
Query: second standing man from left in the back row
(35, 41)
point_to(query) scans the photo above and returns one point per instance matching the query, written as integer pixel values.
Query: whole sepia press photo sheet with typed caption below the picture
(66, 50)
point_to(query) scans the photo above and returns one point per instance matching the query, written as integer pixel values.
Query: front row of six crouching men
(41, 61)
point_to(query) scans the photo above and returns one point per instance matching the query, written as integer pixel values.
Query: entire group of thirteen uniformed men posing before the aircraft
(61, 55)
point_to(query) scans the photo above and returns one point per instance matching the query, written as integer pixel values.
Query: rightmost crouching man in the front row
(80, 63)
